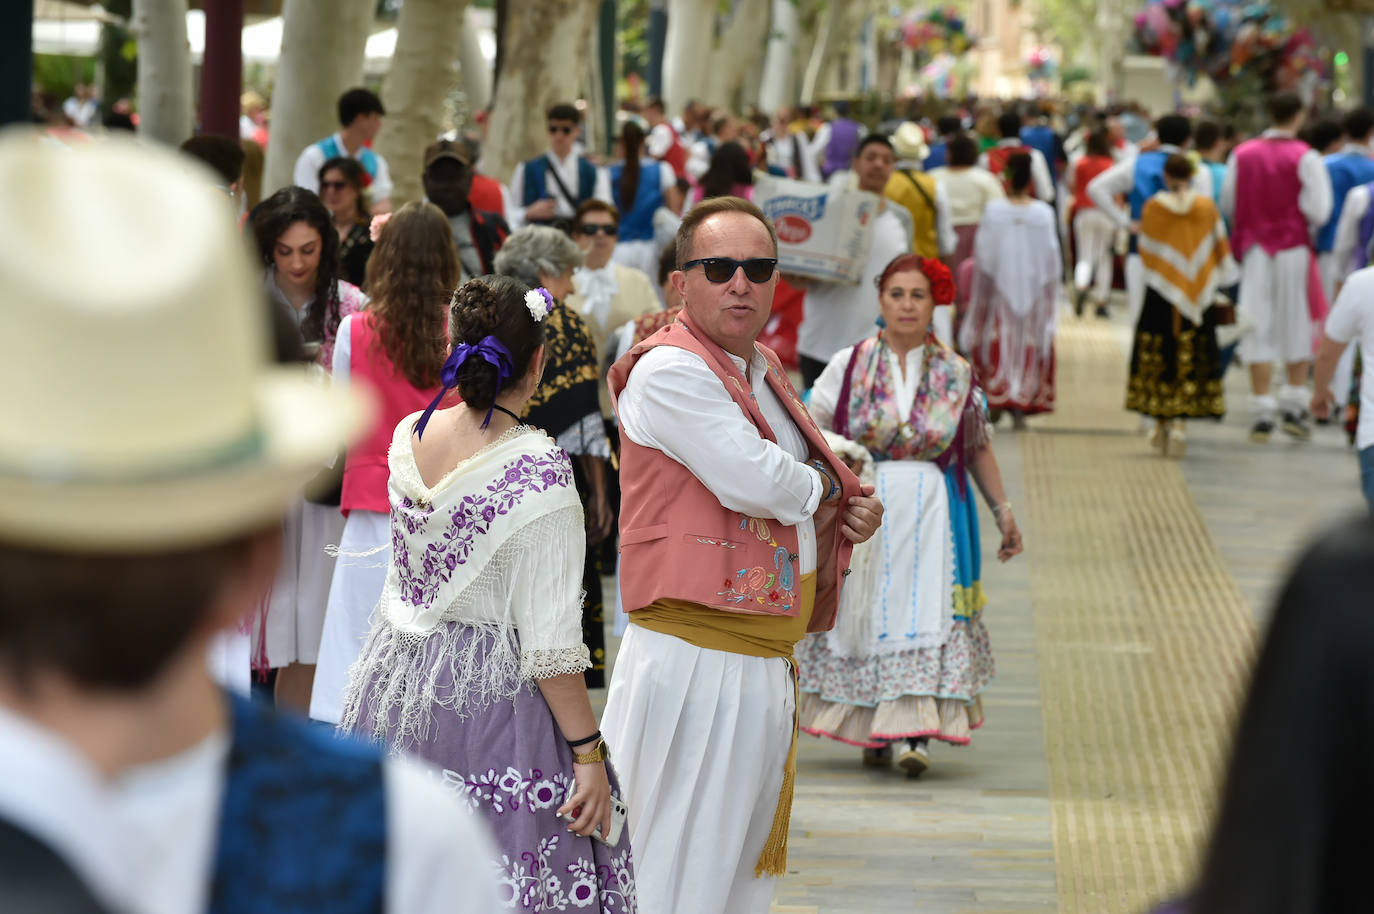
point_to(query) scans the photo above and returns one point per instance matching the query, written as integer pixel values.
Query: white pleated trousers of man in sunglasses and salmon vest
(700, 740)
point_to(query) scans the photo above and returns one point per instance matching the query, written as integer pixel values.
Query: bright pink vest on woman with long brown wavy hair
(365, 471)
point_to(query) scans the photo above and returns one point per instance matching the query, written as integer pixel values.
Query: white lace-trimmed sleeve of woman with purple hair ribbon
(546, 593)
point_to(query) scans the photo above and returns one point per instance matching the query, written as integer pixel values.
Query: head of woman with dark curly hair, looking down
(300, 252)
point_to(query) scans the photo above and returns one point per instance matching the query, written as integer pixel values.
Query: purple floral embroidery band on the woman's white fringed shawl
(423, 575)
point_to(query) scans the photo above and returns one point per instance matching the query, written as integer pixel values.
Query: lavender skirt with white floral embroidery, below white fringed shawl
(509, 763)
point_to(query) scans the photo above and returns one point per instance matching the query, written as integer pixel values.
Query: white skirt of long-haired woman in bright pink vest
(354, 594)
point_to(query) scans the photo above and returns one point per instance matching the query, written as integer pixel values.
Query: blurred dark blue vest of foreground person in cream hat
(304, 823)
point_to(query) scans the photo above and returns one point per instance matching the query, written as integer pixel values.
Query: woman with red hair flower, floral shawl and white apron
(909, 656)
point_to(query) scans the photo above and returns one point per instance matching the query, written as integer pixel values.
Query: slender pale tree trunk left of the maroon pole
(164, 71)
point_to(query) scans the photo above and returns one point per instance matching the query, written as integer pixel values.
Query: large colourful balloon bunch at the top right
(1229, 41)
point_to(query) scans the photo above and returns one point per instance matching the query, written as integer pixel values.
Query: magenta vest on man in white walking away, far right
(1268, 188)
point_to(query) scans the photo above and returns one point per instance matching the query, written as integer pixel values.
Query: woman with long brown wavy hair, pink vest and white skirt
(396, 348)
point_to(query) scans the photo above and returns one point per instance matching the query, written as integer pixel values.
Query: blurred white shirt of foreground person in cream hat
(145, 842)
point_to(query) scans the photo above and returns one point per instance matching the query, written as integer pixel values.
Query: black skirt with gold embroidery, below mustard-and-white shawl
(1175, 365)
